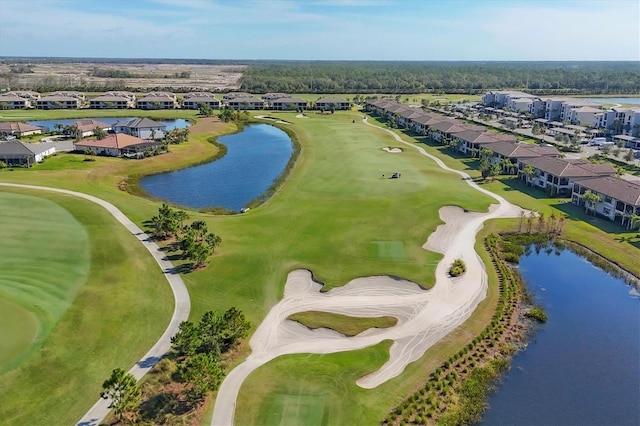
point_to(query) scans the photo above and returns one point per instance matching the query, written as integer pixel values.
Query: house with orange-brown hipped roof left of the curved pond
(118, 145)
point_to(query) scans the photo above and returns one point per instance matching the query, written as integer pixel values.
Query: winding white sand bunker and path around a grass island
(424, 316)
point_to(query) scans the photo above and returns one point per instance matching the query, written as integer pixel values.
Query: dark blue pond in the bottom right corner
(582, 366)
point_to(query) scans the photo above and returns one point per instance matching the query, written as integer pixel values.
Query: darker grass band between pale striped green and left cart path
(115, 317)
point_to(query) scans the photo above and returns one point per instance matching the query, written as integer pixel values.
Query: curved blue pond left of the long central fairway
(255, 158)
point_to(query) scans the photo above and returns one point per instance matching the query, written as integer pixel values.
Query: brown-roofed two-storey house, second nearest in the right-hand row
(559, 175)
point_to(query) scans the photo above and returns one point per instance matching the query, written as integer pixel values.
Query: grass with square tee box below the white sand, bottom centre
(323, 392)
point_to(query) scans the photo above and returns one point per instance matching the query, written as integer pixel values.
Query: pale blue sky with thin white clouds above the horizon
(417, 30)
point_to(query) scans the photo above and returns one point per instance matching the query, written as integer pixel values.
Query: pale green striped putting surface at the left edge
(44, 259)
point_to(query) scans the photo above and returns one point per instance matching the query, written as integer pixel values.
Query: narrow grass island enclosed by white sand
(349, 326)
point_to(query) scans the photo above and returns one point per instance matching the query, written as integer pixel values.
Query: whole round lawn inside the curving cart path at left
(98, 295)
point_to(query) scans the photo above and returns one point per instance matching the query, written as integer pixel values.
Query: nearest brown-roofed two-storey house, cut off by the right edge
(619, 198)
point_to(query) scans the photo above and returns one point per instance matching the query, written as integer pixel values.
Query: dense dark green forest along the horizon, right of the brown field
(449, 77)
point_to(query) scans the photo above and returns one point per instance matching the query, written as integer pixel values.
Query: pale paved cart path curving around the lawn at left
(182, 304)
